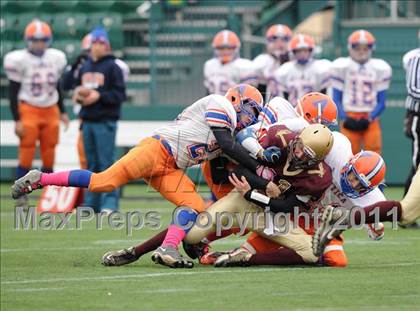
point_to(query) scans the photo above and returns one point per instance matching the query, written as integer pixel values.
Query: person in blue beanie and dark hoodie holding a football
(101, 91)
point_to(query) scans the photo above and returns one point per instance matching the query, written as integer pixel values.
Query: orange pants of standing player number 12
(370, 139)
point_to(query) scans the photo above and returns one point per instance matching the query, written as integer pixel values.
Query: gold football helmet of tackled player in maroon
(311, 146)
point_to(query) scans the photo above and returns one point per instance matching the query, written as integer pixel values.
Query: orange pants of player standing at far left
(40, 124)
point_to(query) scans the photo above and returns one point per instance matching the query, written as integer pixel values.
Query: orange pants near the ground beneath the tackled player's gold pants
(334, 255)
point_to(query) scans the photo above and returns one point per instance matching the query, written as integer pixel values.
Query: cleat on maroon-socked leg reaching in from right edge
(334, 221)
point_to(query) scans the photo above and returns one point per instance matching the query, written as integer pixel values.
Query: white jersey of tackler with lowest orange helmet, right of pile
(336, 159)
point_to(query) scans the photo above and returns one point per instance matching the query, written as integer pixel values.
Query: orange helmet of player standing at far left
(38, 31)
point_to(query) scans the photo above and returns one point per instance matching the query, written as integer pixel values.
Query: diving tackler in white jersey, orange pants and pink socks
(201, 132)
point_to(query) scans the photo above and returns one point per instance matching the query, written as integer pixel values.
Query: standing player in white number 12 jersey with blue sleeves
(360, 85)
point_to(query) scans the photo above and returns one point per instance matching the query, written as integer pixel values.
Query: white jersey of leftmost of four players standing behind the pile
(219, 77)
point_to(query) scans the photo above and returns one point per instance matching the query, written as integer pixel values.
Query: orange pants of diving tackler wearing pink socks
(150, 161)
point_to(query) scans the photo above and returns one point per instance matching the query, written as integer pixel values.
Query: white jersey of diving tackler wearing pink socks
(190, 136)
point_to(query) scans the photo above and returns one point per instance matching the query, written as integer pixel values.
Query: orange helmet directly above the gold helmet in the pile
(316, 107)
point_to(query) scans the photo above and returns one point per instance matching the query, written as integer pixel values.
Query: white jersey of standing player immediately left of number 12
(297, 80)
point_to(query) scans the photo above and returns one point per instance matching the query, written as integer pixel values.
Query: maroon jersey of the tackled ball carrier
(305, 182)
